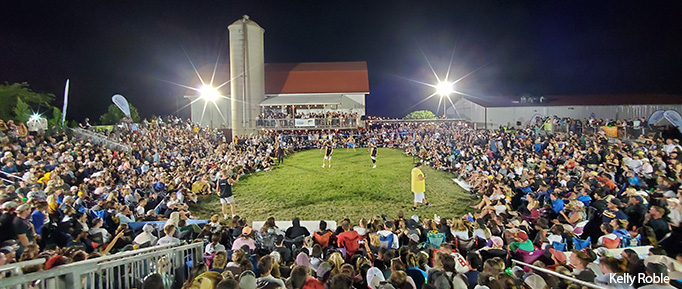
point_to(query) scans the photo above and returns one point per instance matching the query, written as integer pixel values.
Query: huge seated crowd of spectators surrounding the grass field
(538, 195)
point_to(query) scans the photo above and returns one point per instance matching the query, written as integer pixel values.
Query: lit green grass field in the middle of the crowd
(350, 188)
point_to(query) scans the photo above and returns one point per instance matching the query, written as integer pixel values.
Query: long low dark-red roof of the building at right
(576, 100)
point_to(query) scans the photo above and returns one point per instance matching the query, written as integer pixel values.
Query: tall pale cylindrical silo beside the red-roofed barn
(247, 72)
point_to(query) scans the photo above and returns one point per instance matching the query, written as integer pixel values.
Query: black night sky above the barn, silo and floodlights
(521, 47)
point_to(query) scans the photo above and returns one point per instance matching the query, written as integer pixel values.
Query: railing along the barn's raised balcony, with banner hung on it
(310, 123)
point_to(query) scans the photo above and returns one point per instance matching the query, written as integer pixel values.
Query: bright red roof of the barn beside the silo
(316, 77)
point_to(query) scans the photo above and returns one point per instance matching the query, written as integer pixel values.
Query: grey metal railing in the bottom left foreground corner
(122, 270)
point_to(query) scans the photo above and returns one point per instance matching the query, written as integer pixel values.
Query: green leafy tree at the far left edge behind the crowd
(10, 95)
